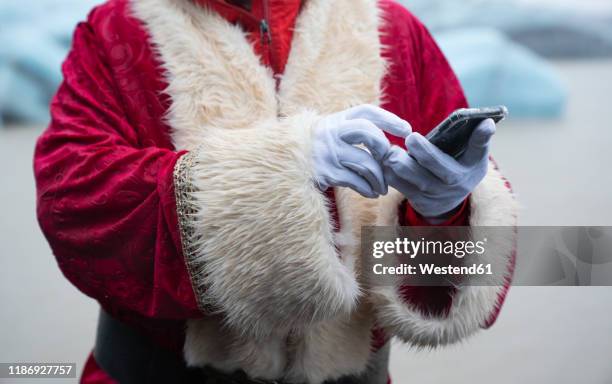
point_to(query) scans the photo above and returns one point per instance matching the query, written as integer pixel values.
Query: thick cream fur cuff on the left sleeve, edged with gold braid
(257, 234)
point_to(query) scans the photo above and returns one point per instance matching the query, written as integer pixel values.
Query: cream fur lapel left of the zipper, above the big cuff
(214, 78)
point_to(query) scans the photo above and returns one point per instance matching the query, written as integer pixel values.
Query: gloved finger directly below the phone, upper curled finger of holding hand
(445, 167)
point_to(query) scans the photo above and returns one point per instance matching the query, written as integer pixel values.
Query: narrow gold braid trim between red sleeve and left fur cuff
(186, 209)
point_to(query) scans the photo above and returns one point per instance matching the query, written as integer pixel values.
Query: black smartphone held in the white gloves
(452, 135)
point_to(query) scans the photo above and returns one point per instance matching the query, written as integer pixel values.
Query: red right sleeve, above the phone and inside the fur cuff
(425, 90)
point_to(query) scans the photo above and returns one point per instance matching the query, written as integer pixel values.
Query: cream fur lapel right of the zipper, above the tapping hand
(335, 60)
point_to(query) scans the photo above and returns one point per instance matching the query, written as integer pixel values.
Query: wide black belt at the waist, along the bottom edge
(131, 358)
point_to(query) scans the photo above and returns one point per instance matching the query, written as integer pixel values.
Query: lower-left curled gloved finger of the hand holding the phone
(409, 170)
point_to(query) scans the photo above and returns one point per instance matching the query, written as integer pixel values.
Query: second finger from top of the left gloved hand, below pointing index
(361, 131)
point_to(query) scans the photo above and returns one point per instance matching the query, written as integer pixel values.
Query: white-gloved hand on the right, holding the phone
(433, 182)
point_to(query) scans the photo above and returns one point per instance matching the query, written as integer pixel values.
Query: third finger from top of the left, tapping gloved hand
(362, 163)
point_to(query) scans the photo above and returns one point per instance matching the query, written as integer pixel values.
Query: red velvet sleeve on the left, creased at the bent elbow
(105, 201)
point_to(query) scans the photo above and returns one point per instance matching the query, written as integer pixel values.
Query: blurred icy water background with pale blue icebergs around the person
(549, 61)
